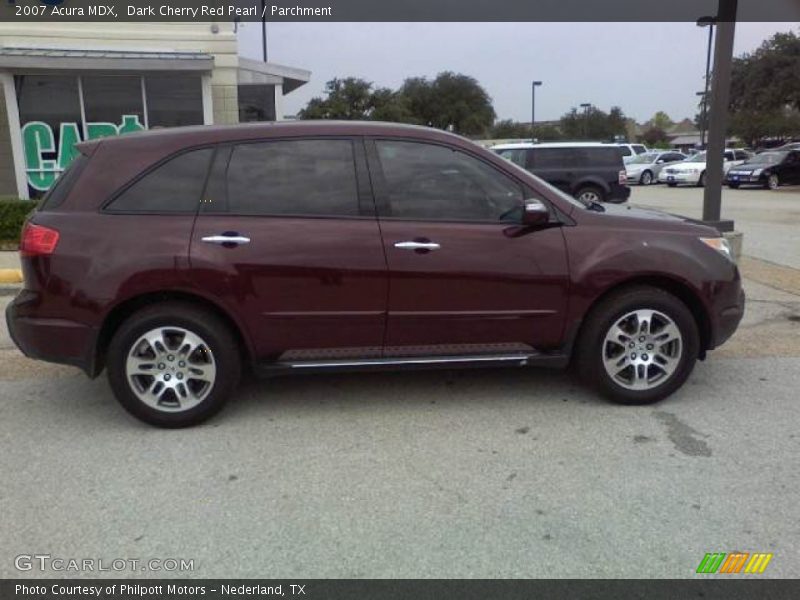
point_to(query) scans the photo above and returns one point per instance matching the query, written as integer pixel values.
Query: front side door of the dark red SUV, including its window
(464, 276)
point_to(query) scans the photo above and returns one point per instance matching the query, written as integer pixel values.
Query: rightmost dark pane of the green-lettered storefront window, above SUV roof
(174, 100)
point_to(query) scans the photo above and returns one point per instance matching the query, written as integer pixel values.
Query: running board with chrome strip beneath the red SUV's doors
(415, 362)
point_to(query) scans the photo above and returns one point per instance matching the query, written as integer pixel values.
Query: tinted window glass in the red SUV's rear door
(293, 177)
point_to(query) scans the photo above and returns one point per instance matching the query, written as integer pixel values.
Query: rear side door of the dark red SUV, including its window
(287, 238)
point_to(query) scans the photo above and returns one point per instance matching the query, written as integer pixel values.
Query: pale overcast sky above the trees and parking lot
(642, 67)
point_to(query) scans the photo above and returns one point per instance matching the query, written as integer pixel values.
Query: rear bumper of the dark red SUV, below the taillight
(52, 340)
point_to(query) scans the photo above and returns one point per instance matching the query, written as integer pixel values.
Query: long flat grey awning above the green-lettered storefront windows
(48, 59)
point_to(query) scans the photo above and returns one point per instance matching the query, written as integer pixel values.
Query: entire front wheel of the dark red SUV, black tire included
(656, 378)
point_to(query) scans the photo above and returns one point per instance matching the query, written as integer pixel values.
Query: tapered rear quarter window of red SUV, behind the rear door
(172, 187)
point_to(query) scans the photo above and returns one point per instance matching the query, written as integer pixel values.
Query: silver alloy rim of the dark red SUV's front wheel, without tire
(642, 349)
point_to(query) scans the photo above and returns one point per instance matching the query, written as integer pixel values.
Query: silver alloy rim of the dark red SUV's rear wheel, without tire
(170, 369)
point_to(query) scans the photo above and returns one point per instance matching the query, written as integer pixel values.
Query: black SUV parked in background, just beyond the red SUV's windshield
(589, 171)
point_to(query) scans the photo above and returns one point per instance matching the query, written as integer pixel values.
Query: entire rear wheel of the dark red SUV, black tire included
(179, 393)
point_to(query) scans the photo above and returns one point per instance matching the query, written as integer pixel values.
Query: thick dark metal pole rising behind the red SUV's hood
(720, 93)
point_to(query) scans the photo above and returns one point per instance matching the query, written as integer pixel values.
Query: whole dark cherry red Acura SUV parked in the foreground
(177, 258)
